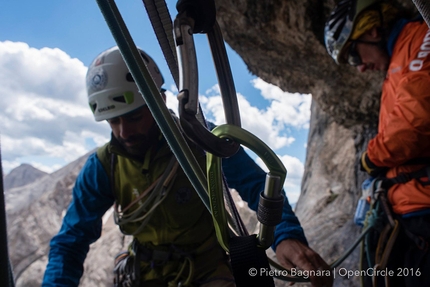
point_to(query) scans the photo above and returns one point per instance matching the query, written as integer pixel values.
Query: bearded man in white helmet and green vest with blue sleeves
(174, 240)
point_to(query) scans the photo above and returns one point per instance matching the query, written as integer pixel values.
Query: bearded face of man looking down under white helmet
(135, 131)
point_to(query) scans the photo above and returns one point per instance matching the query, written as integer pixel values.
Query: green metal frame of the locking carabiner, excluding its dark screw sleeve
(214, 178)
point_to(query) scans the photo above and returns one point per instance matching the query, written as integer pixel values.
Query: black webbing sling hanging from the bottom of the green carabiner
(249, 262)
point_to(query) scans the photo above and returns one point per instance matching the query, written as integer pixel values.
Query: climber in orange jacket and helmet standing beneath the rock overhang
(373, 35)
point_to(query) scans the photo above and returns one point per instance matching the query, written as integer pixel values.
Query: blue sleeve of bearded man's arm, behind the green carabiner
(244, 175)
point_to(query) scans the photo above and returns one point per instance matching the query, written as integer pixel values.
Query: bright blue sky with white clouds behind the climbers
(45, 49)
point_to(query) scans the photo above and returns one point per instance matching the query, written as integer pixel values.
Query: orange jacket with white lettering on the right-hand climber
(404, 119)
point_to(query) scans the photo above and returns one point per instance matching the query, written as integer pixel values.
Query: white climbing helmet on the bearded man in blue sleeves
(111, 89)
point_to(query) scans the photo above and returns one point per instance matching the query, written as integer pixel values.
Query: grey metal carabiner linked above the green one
(194, 129)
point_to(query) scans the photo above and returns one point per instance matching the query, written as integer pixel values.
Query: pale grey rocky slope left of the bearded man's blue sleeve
(34, 214)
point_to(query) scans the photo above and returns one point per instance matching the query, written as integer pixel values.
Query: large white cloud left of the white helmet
(45, 111)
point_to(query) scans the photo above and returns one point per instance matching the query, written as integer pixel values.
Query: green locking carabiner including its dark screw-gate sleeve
(271, 200)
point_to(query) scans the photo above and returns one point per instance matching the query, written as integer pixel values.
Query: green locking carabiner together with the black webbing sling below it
(248, 251)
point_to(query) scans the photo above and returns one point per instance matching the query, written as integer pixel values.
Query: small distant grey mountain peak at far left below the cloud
(22, 175)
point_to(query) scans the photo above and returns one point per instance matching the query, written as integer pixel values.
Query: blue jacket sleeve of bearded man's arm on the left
(81, 226)
